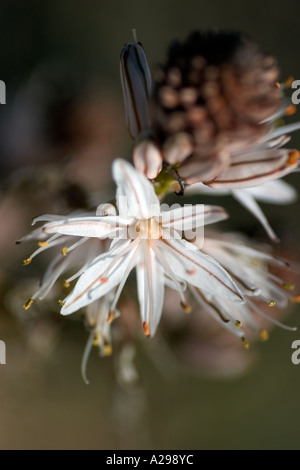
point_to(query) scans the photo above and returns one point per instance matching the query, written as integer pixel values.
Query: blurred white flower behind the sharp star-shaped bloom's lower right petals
(250, 268)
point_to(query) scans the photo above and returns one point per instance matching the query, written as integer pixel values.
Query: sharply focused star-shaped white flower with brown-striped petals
(146, 238)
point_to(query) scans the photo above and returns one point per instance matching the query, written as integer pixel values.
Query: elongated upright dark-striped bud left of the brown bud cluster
(136, 85)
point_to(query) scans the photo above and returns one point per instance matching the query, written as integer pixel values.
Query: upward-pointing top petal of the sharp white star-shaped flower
(135, 194)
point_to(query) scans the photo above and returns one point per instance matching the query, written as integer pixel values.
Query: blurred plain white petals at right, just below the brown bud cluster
(274, 192)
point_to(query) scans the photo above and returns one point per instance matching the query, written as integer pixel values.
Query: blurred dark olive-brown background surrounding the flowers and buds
(61, 126)
